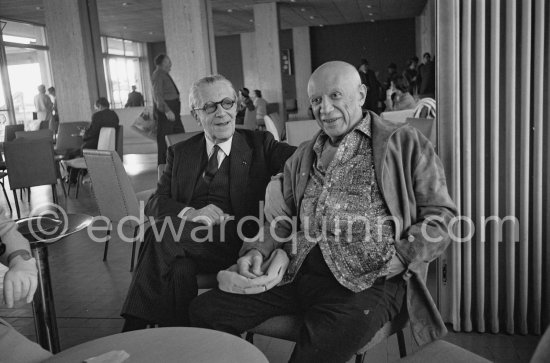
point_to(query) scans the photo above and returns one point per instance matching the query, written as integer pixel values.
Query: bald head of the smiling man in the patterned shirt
(336, 96)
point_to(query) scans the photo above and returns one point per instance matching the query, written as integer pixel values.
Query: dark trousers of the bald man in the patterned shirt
(337, 321)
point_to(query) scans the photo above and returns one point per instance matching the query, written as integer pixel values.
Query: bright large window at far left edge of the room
(24, 65)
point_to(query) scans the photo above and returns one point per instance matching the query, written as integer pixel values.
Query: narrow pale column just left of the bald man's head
(302, 66)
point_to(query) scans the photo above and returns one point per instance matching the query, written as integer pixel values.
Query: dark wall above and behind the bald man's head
(380, 43)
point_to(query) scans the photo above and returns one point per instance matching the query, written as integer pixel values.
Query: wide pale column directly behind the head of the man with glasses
(189, 34)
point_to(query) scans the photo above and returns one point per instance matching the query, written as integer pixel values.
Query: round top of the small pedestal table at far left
(45, 229)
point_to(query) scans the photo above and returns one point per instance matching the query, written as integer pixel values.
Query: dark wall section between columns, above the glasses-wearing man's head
(229, 59)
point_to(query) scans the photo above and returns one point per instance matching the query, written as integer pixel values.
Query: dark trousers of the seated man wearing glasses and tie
(165, 279)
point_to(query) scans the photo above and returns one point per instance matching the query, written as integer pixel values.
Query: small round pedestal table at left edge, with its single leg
(40, 231)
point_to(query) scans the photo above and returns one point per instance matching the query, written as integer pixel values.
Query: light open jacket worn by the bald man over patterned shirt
(412, 181)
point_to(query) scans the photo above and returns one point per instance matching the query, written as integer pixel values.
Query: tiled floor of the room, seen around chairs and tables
(89, 293)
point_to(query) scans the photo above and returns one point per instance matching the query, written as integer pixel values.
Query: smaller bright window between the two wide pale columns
(122, 60)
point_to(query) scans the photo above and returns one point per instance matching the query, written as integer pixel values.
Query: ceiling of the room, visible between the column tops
(141, 20)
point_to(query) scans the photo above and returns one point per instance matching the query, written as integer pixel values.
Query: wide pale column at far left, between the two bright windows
(75, 51)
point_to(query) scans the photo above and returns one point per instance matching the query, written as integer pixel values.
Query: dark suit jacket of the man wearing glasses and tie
(255, 157)
